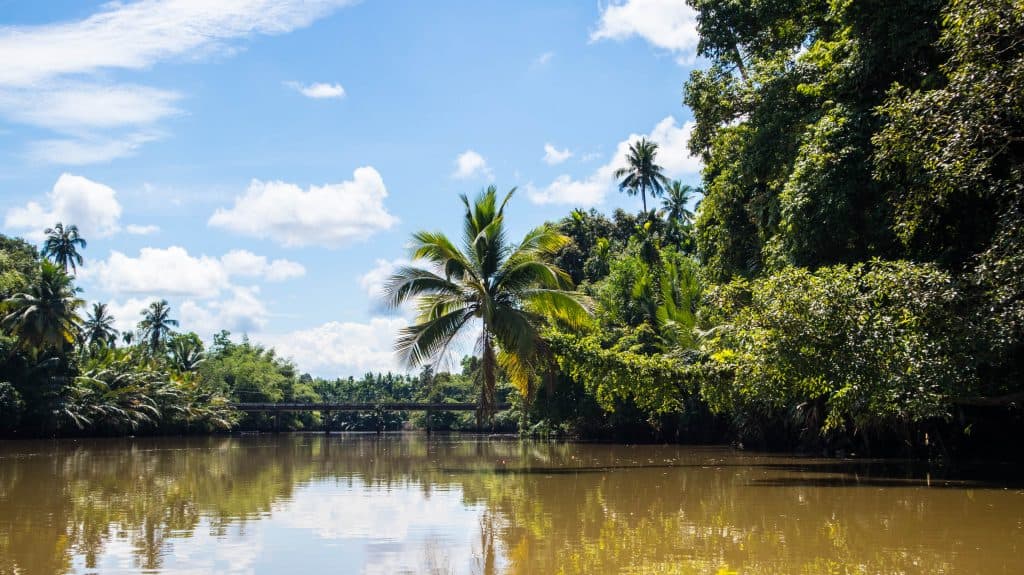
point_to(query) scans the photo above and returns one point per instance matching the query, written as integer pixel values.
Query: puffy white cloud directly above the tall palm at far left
(75, 200)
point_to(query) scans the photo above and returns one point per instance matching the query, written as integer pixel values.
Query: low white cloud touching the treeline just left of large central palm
(340, 348)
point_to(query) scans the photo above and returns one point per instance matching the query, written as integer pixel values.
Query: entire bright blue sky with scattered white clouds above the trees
(262, 164)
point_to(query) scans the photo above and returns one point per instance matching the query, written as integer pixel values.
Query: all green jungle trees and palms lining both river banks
(848, 274)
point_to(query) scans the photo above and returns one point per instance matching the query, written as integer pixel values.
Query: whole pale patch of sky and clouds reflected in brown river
(378, 530)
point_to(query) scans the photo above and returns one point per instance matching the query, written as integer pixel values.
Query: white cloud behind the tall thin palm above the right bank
(672, 155)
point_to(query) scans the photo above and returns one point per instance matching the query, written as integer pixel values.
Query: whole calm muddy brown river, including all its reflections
(405, 504)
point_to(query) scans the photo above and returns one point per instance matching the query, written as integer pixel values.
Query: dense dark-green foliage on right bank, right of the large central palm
(858, 273)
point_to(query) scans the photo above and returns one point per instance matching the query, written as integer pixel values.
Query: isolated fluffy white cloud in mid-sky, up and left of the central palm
(330, 215)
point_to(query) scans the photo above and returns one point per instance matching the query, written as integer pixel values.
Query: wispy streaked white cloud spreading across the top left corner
(55, 75)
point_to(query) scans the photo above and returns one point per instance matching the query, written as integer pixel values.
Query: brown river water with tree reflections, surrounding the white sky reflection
(548, 508)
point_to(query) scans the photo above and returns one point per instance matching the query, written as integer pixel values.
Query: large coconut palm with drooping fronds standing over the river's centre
(505, 291)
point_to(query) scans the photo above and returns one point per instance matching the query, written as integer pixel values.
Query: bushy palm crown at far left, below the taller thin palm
(46, 317)
